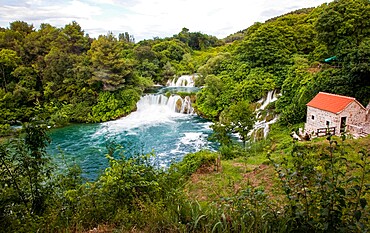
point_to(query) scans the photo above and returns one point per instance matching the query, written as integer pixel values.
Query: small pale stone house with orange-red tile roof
(337, 114)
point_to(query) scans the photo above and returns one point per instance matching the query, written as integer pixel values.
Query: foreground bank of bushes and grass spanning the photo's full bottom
(273, 186)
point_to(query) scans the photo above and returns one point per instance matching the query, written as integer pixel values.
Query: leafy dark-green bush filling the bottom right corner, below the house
(326, 189)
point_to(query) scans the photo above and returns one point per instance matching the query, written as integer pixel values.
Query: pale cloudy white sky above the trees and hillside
(145, 19)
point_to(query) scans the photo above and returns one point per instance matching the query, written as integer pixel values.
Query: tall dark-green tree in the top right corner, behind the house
(342, 30)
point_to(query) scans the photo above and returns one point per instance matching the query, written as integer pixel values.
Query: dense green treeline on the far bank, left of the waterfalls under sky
(62, 75)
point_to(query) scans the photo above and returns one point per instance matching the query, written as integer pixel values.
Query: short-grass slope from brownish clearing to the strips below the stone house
(254, 170)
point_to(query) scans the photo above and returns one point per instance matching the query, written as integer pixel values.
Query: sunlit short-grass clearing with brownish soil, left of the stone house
(239, 173)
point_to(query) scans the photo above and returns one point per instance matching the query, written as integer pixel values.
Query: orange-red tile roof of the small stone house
(331, 102)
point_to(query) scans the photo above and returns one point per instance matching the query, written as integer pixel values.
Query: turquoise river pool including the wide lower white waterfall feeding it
(156, 126)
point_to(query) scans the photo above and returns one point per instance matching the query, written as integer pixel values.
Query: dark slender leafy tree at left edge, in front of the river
(25, 170)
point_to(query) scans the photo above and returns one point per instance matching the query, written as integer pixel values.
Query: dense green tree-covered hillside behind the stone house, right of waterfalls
(288, 53)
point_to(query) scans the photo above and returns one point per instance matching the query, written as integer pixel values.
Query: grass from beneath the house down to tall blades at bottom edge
(216, 197)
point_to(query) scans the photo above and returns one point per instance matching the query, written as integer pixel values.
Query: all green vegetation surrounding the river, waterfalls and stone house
(55, 76)
